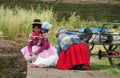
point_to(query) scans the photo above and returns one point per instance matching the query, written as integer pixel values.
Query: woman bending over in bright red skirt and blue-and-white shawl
(73, 53)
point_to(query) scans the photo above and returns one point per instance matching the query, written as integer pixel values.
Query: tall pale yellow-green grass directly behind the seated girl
(18, 20)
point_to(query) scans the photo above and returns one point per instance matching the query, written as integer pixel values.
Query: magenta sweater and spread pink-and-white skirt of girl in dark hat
(47, 53)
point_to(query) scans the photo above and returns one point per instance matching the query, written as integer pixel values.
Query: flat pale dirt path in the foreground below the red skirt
(55, 73)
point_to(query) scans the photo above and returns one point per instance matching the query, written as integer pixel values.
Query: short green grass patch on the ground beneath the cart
(103, 65)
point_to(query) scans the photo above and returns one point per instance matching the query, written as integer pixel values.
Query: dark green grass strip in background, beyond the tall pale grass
(100, 12)
